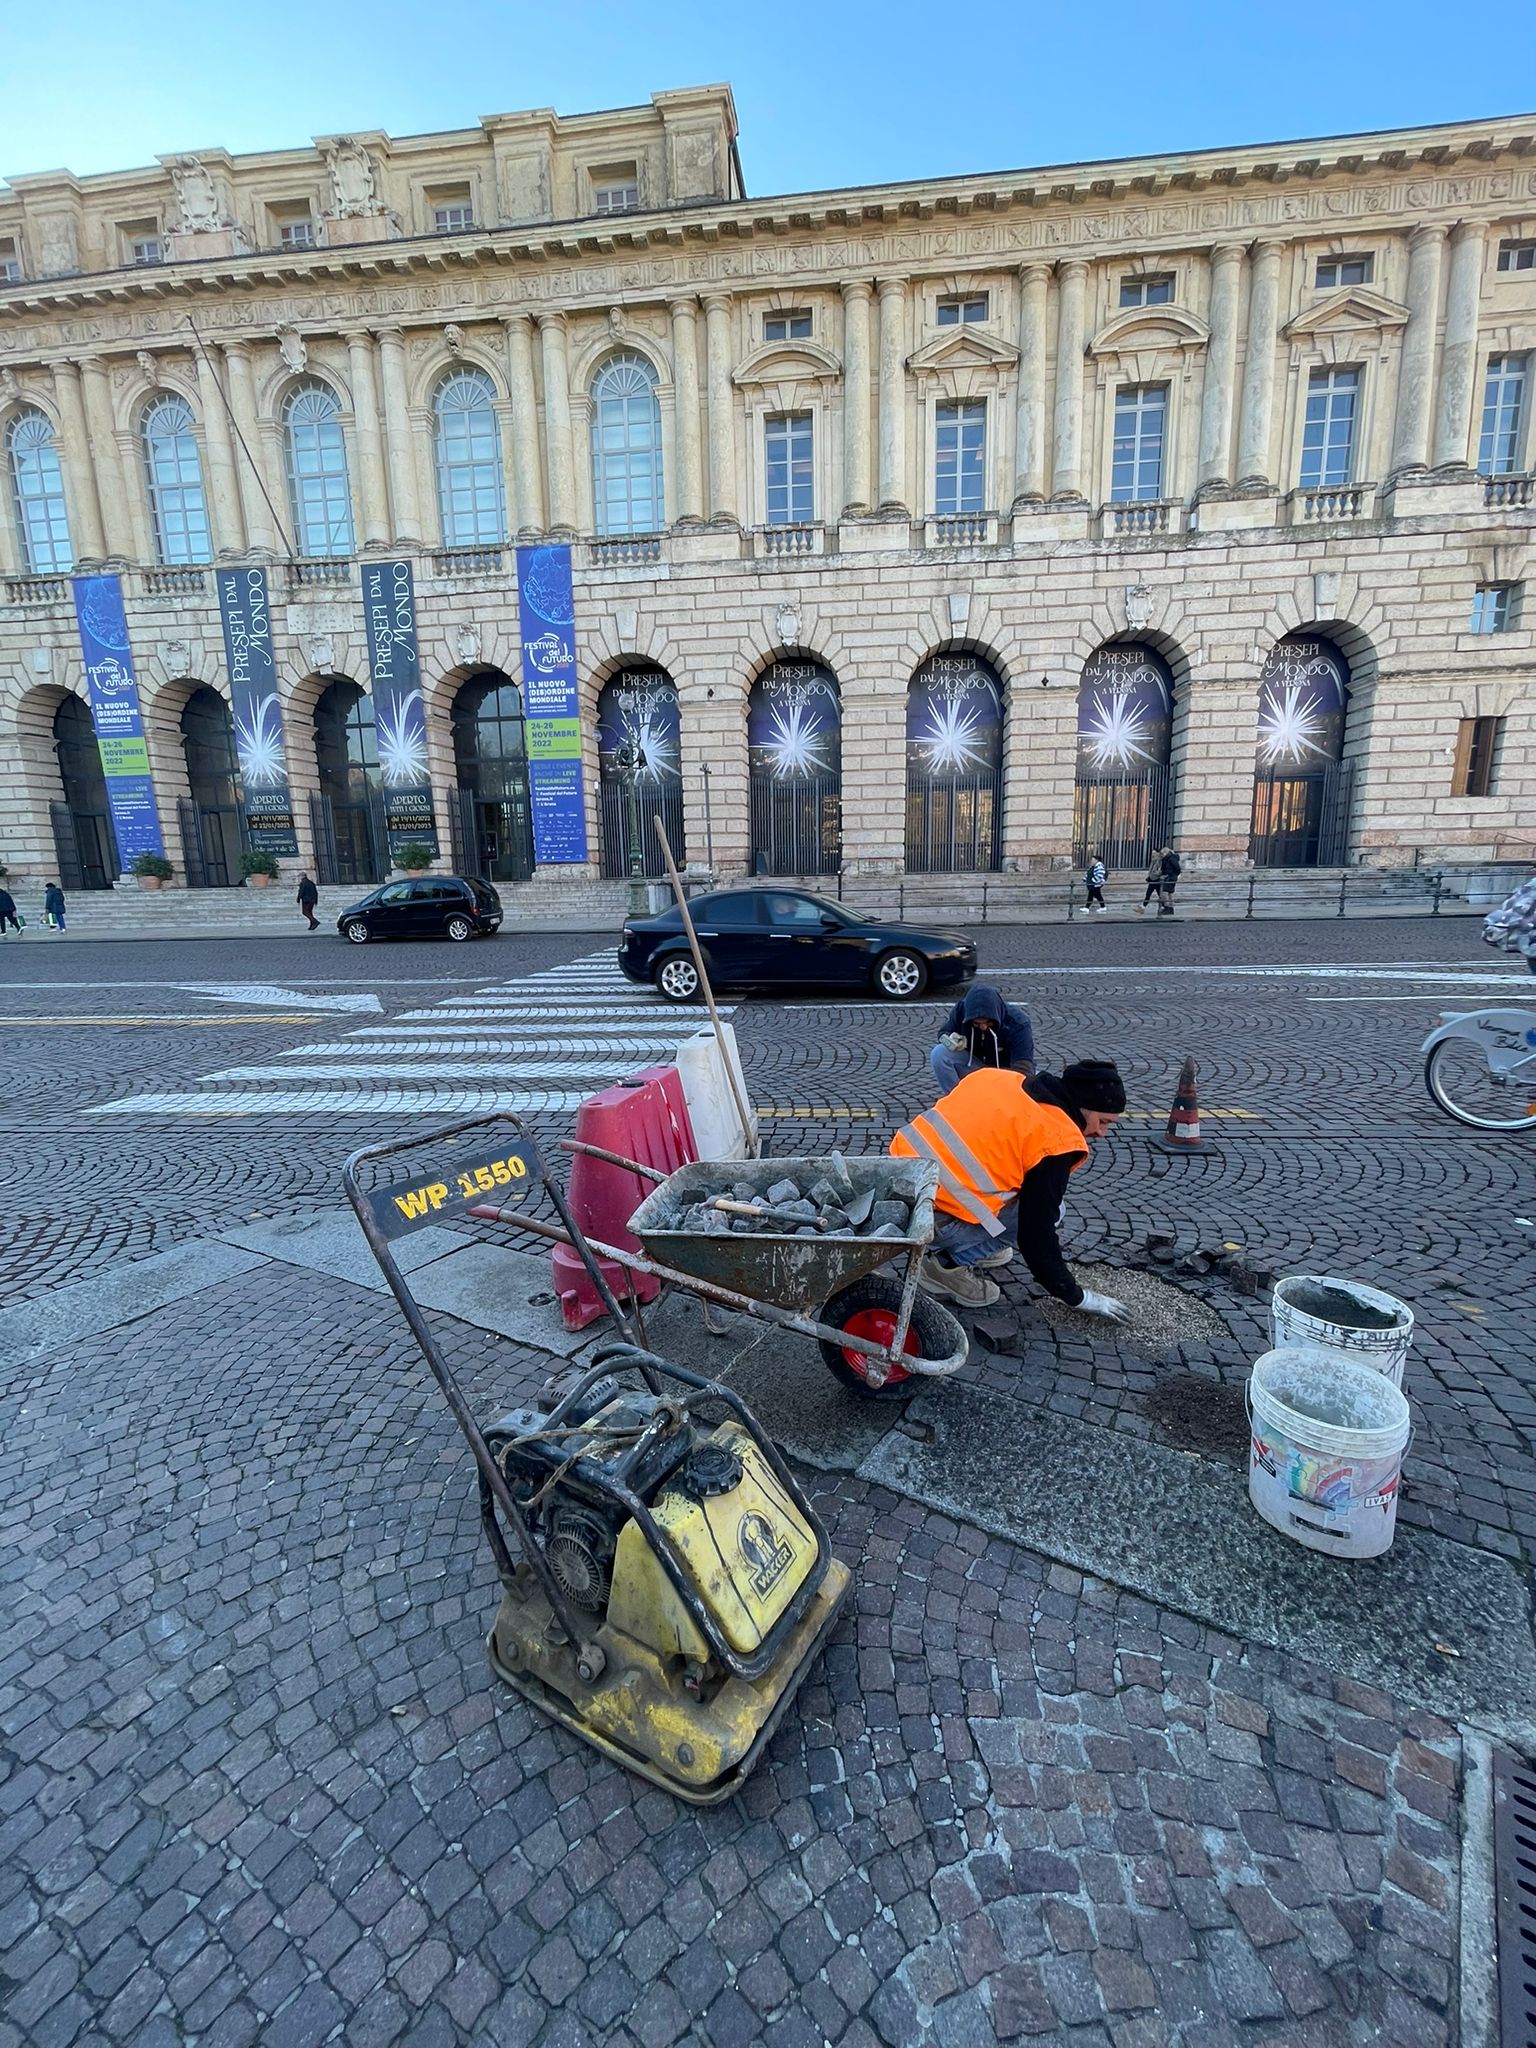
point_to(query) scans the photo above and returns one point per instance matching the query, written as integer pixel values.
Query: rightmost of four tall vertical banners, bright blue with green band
(552, 706)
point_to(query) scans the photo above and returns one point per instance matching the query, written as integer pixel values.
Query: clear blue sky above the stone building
(826, 93)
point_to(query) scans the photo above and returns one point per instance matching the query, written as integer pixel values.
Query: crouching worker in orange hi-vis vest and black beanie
(1007, 1148)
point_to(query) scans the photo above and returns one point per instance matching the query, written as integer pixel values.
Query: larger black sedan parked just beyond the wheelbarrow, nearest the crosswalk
(771, 937)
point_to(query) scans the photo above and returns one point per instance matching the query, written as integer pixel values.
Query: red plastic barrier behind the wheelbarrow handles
(644, 1119)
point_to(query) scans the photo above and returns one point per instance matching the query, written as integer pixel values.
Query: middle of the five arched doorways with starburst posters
(955, 767)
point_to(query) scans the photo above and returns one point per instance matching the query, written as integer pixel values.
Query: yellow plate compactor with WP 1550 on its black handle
(671, 1584)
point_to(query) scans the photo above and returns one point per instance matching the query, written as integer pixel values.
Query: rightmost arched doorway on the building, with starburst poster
(1302, 781)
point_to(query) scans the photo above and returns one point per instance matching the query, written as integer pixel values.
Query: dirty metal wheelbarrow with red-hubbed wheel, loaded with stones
(878, 1332)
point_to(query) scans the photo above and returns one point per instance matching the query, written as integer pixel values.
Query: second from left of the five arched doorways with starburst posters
(796, 769)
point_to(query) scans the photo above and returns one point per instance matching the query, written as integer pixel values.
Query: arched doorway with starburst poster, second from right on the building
(1125, 742)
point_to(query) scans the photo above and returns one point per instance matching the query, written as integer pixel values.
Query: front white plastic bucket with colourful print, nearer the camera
(1326, 1451)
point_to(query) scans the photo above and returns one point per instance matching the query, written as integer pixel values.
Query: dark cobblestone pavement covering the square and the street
(259, 1787)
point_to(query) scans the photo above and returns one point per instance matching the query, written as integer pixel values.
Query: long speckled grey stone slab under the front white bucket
(1181, 1531)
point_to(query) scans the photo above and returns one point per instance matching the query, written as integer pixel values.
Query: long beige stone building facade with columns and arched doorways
(916, 527)
